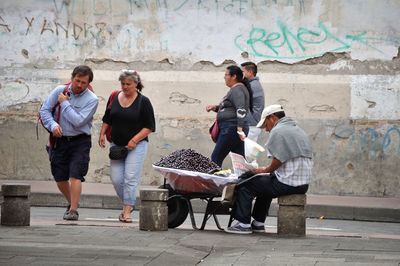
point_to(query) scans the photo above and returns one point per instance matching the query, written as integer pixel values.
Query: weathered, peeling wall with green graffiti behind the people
(334, 65)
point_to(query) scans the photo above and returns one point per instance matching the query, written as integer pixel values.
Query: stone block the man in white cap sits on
(291, 215)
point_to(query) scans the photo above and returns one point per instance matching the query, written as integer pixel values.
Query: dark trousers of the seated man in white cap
(264, 188)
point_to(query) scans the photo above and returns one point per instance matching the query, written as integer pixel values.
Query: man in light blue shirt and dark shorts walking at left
(71, 126)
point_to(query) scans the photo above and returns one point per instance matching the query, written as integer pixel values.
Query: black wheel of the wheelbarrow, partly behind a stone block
(177, 211)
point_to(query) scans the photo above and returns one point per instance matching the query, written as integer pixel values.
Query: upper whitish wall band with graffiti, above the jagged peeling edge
(213, 30)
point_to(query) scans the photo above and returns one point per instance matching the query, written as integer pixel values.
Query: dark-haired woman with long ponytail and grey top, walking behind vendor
(232, 115)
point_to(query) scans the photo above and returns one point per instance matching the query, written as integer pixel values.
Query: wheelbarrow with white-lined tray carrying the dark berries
(184, 186)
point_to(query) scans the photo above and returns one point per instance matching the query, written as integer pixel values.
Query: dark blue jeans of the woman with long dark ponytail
(228, 141)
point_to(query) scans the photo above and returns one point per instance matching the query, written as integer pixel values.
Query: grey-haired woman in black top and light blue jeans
(131, 118)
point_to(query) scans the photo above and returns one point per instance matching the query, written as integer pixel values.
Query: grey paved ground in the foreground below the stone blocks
(99, 239)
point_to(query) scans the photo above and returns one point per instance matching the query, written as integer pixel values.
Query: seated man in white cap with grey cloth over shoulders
(288, 173)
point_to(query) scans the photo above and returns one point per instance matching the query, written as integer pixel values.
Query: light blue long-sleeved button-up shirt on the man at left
(76, 113)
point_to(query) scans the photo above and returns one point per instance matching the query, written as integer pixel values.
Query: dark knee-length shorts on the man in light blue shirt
(70, 158)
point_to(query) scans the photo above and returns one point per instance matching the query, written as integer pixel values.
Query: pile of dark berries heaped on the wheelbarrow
(187, 159)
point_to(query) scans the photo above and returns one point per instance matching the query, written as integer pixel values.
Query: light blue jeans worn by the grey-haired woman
(125, 174)
